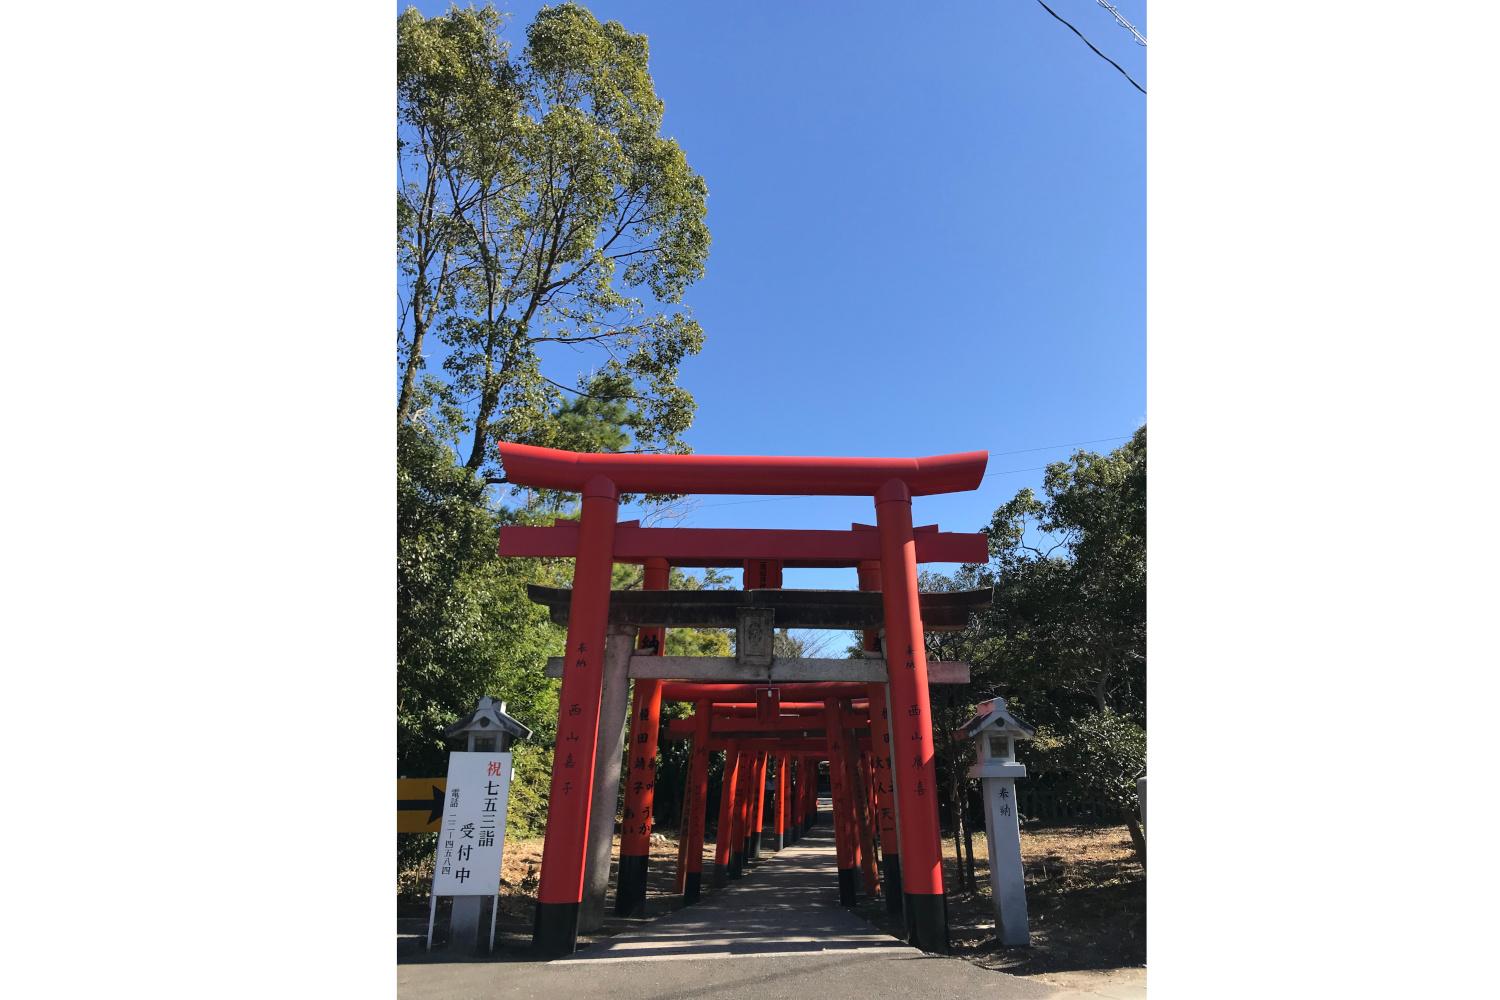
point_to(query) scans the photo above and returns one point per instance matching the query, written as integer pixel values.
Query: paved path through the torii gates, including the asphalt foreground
(778, 933)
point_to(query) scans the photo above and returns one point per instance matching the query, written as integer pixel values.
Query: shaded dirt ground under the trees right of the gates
(1085, 899)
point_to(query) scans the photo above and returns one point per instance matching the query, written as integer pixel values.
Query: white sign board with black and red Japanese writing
(473, 834)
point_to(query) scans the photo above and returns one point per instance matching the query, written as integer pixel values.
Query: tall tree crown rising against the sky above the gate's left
(580, 226)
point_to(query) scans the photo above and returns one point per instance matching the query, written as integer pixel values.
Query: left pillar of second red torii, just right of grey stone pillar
(646, 725)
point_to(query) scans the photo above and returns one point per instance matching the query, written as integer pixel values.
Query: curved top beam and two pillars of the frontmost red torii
(599, 479)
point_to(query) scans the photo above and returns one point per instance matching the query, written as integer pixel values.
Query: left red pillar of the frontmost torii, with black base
(562, 890)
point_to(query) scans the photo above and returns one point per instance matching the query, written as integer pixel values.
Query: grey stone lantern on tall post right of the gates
(995, 732)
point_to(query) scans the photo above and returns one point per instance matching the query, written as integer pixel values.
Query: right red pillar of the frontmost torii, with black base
(911, 722)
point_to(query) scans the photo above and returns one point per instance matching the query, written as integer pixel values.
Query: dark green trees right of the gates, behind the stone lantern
(1066, 636)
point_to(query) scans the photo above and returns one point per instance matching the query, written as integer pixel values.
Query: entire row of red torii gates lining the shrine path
(868, 720)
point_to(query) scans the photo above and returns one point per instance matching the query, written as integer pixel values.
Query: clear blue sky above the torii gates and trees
(929, 235)
